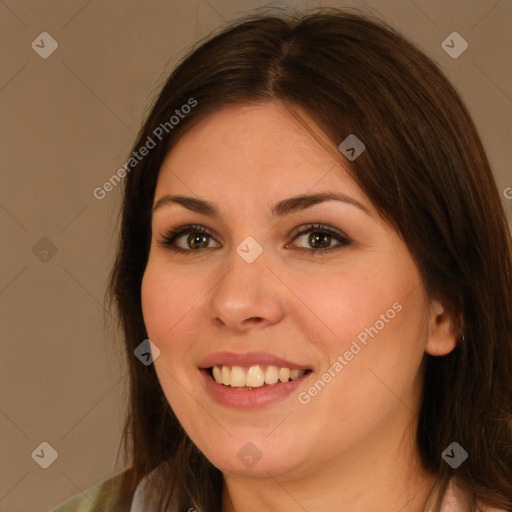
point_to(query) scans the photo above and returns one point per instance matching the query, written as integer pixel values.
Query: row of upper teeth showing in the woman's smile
(255, 376)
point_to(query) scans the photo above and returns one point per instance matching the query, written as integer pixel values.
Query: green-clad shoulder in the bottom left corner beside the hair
(101, 496)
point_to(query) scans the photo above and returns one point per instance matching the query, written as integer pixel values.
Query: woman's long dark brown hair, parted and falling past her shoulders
(426, 172)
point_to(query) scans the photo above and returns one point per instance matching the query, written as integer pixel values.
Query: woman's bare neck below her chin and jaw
(373, 476)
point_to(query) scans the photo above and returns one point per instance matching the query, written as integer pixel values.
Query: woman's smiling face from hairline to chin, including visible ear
(251, 296)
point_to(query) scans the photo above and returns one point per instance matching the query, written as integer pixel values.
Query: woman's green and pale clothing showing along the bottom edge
(102, 497)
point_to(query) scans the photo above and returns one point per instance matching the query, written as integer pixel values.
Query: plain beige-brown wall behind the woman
(67, 124)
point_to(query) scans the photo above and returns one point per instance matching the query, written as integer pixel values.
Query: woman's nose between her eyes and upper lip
(248, 295)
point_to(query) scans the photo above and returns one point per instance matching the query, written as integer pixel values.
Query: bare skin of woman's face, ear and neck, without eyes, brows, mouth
(352, 447)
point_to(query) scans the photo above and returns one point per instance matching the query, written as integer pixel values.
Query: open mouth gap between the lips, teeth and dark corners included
(254, 377)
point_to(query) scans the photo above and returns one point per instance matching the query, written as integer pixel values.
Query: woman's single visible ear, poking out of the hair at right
(443, 330)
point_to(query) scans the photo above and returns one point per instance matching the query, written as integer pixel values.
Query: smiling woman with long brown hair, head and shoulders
(313, 241)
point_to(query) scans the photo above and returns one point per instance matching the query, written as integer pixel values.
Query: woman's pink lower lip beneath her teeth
(251, 398)
